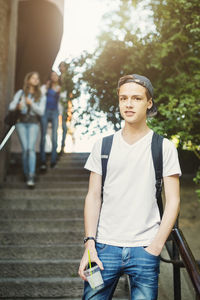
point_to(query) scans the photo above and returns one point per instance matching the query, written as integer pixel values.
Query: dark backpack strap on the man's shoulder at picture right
(157, 155)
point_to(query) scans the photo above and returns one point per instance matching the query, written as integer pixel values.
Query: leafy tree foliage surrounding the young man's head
(169, 55)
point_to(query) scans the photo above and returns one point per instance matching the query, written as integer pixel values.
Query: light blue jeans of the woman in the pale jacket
(27, 133)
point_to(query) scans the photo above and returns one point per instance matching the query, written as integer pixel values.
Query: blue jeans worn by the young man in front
(141, 266)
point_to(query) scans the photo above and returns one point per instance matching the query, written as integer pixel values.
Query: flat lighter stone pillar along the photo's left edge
(8, 32)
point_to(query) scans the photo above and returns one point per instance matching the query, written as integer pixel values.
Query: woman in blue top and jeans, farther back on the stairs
(52, 91)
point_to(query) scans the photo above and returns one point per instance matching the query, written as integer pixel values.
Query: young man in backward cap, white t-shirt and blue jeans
(124, 233)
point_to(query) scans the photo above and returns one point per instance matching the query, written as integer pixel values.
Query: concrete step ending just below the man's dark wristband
(38, 251)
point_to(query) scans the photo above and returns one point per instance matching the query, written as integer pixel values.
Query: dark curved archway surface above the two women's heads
(40, 29)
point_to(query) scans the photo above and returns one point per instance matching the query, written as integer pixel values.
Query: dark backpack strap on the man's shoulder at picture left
(105, 153)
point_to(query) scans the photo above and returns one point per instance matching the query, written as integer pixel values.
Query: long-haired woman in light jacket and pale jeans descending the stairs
(31, 105)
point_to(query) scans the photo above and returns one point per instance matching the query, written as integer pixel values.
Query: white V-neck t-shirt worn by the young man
(129, 215)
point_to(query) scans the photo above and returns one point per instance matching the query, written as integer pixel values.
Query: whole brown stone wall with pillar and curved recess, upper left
(30, 37)
